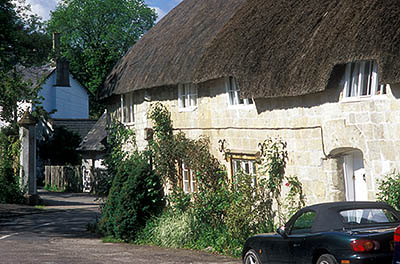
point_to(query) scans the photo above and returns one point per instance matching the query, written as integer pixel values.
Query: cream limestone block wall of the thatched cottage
(318, 128)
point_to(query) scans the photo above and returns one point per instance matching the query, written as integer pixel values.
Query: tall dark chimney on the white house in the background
(62, 65)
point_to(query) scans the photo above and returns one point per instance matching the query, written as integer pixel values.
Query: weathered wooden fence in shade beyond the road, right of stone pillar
(68, 178)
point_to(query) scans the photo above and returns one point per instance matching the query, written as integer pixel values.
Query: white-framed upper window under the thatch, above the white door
(361, 79)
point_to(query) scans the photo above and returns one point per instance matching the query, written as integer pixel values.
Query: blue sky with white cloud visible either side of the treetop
(43, 7)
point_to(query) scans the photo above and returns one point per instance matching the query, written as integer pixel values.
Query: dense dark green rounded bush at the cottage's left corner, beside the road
(135, 196)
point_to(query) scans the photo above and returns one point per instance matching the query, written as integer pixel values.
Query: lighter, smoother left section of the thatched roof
(169, 53)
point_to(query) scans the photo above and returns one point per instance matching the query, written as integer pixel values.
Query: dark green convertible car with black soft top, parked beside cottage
(329, 233)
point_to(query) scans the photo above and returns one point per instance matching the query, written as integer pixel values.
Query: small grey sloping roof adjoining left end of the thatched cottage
(93, 140)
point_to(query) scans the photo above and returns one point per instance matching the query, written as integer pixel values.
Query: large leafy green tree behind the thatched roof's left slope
(96, 33)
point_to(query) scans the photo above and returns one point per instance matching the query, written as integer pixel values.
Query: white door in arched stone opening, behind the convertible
(354, 177)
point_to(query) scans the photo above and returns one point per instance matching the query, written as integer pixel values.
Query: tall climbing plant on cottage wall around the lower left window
(169, 149)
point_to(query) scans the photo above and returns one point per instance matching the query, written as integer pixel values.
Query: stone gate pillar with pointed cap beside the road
(27, 134)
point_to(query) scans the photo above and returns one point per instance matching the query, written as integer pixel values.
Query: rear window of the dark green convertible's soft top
(368, 216)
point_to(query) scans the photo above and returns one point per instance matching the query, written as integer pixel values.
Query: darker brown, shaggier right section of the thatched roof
(289, 48)
